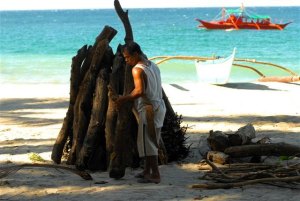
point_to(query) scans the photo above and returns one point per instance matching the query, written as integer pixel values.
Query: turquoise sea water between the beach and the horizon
(37, 46)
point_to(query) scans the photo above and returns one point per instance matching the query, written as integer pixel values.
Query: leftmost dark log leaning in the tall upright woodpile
(67, 127)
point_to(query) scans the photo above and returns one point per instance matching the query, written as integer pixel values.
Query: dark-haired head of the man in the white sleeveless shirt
(132, 53)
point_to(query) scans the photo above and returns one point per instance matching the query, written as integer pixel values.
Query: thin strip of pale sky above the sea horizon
(99, 4)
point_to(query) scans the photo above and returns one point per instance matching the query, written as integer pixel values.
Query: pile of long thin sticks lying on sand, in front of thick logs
(241, 174)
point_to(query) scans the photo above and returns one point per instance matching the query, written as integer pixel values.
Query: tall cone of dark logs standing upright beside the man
(96, 136)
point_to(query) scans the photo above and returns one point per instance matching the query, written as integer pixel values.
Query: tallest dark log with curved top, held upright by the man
(126, 129)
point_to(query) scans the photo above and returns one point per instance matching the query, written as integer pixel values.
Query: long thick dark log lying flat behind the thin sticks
(276, 149)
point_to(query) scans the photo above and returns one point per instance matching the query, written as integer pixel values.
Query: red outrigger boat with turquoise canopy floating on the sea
(241, 19)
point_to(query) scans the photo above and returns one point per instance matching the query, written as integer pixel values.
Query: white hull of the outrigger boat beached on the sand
(215, 71)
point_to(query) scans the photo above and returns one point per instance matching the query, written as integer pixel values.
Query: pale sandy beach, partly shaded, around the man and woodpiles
(32, 115)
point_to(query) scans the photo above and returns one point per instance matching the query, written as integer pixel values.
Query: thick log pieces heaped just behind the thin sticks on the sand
(226, 148)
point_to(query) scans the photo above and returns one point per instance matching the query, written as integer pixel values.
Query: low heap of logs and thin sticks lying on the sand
(226, 149)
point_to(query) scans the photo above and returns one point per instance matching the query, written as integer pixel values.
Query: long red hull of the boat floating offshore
(257, 26)
